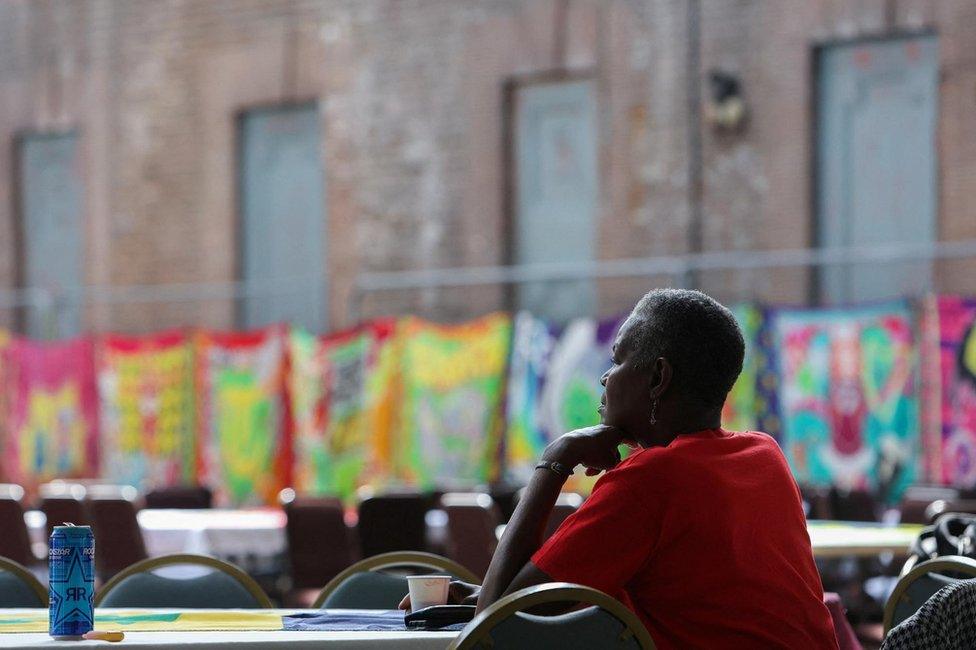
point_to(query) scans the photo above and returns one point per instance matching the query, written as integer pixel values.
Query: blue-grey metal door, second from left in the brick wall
(283, 218)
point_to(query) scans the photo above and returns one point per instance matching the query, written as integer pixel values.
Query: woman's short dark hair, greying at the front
(698, 336)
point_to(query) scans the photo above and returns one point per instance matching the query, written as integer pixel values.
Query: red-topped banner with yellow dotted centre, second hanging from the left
(146, 395)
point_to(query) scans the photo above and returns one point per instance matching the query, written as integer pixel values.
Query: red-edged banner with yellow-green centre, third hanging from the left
(244, 439)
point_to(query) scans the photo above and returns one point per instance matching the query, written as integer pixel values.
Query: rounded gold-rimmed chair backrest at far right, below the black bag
(922, 582)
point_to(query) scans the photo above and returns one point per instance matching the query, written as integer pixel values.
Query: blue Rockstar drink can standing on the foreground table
(71, 563)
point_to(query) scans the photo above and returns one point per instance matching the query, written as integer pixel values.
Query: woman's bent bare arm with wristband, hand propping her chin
(594, 447)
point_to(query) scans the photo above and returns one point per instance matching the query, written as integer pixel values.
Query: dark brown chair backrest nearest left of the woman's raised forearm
(471, 521)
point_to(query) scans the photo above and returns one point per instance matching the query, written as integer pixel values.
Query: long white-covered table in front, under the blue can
(236, 628)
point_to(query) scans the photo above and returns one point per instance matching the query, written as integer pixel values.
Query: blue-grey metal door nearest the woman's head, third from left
(556, 185)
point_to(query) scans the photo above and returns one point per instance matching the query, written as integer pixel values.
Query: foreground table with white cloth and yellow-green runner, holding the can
(238, 638)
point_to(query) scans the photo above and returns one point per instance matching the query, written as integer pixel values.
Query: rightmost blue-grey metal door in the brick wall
(876, 166)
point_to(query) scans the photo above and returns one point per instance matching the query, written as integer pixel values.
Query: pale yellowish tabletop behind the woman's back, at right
(856, 539)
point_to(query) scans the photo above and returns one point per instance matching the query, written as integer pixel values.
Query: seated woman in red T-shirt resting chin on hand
(700, 531)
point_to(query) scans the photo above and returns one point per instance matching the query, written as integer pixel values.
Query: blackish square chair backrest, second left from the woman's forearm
(392, 522)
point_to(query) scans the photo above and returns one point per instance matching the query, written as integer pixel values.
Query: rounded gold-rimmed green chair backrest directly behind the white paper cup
(379, 582)
